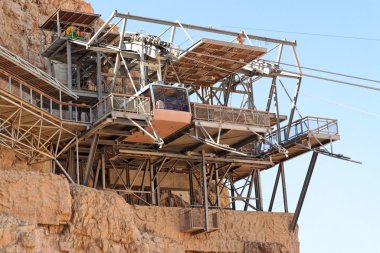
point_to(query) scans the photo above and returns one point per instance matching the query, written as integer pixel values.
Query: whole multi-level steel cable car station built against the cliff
(125, 135)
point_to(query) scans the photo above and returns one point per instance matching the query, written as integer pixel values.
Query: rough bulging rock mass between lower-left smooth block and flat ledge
(103, 222)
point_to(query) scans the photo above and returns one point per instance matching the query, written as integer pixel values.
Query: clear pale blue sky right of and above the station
(341, 212)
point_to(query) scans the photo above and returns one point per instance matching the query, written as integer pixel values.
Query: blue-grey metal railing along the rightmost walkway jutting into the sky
(299, 128)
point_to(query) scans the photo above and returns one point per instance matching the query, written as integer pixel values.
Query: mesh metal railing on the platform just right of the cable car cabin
(222, 114)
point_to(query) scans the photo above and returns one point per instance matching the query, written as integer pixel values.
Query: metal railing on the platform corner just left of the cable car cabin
(121, 103)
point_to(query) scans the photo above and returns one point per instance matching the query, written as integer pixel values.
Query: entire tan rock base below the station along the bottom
(36, 218)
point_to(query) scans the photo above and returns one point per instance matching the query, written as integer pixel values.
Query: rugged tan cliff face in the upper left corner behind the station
(20, 21)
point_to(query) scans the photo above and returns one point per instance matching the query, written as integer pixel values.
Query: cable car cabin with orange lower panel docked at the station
(171, 112)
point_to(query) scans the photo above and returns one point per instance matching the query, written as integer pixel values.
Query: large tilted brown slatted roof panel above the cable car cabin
(208, 61)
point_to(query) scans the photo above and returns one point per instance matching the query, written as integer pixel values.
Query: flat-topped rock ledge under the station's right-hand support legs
(239, 231)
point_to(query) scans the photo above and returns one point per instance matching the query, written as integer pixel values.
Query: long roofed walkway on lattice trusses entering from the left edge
(35, 119)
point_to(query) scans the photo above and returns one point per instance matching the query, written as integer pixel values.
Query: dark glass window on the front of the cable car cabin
(171, 98)
